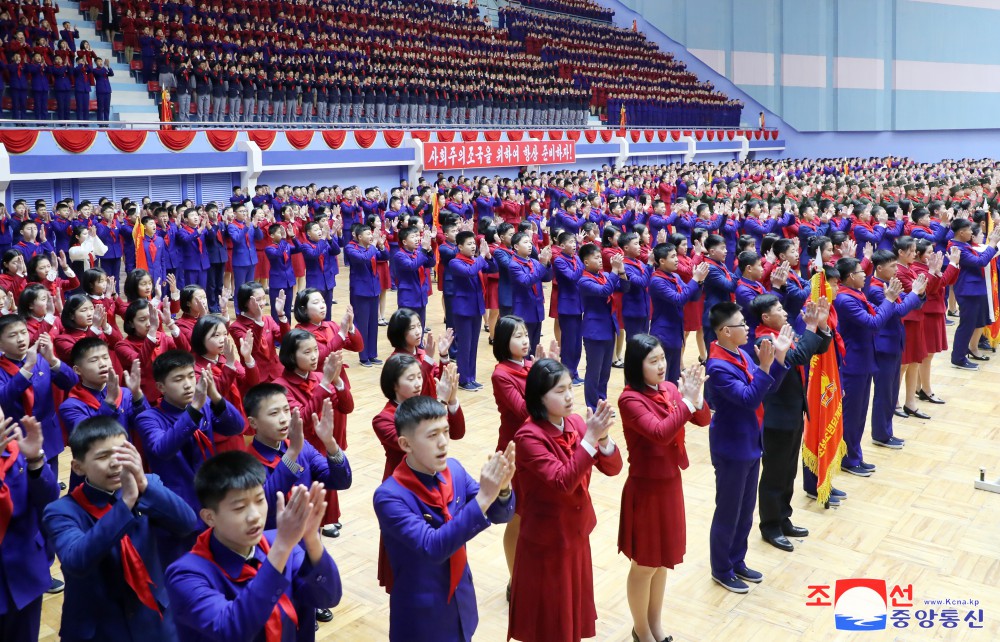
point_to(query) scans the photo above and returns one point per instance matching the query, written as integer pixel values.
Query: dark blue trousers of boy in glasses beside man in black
(735, 498)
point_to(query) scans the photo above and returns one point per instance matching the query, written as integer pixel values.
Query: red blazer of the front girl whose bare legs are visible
(654, 431)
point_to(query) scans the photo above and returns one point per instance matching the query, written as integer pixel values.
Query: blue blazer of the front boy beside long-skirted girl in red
(419, 544)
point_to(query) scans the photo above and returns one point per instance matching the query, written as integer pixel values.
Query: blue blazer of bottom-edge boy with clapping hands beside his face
(210, 607)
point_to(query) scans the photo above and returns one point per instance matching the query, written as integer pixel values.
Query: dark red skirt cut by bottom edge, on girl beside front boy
(552, 592)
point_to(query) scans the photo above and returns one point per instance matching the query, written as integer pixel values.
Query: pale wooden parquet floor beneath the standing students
(917, 521)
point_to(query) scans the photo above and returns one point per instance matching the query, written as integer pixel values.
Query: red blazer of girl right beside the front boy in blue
(555, 501)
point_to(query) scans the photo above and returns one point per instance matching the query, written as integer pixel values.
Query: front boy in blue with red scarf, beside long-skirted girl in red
(428, 510)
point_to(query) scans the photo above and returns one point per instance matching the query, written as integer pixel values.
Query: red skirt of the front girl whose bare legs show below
(651, 526)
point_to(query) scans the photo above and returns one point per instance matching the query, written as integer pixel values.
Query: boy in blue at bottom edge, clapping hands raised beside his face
(242, 582)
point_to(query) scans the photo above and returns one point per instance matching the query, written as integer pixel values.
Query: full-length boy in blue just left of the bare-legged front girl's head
(600, 326)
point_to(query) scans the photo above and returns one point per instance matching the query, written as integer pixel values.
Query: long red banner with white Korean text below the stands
(462, 155)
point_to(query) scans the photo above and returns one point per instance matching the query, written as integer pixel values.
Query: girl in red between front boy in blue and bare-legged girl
(552, 591)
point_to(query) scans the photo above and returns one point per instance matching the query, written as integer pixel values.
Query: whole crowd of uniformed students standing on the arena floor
(208, 444)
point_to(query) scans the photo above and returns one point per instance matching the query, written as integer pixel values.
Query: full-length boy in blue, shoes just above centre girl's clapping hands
(468, 304)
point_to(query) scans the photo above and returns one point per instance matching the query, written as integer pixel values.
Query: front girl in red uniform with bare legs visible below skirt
(651, 531)
